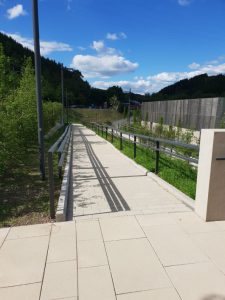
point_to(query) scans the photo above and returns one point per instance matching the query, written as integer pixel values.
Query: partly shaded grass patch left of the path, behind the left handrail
(24, 196)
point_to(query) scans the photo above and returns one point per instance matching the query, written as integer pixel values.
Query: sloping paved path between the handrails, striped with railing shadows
(105, 181)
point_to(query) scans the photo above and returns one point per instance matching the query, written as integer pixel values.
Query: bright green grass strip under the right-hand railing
(178, 173)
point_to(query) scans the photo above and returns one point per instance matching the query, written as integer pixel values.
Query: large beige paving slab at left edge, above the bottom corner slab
(22, 261)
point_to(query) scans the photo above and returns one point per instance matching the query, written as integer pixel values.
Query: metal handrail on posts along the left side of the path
(60, 147)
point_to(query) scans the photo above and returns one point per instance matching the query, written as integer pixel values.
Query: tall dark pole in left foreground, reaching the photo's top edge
(37, 58)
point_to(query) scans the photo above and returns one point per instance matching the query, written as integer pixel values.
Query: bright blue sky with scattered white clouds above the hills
(139, 44)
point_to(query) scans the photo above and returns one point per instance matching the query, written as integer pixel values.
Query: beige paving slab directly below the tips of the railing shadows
(120, 228)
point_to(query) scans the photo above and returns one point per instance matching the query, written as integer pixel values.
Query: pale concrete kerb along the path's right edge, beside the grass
(165, 185)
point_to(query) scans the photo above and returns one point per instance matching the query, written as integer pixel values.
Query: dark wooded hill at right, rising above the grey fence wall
(201, 86)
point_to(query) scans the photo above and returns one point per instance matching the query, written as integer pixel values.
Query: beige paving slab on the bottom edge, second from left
(60, 280)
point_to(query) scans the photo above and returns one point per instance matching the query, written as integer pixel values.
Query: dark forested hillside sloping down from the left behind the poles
(79, 91)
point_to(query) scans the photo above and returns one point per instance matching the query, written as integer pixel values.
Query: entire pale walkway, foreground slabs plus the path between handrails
(130, 241)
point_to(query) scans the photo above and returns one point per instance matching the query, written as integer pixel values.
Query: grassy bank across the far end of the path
(82, 115)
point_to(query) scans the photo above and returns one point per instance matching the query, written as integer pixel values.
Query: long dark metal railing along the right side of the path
(159, 145)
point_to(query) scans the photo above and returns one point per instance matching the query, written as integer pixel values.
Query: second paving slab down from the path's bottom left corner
(91, 253)
